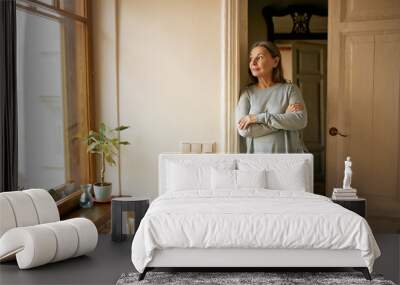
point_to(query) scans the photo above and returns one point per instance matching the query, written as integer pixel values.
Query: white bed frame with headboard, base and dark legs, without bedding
(246, 257)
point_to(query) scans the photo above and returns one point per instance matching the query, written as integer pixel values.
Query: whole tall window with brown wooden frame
(53, 93)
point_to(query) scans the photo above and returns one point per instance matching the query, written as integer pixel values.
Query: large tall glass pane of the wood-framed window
(40, 102)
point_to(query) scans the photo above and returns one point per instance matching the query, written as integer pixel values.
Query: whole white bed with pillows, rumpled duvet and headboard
(246, 211)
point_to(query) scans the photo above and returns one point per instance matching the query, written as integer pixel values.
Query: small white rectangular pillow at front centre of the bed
(237, 179)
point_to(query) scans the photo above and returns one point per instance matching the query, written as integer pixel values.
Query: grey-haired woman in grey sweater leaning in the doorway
(271, 112)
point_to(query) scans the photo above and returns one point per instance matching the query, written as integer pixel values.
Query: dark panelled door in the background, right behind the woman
(309, 73)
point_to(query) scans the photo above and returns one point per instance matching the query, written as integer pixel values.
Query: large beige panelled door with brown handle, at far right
(363, 103)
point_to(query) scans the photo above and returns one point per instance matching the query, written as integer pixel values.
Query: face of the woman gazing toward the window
(261, 62)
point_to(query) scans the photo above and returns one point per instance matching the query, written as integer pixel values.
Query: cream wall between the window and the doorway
(169, 71)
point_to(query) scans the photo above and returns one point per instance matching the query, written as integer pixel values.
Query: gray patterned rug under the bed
(231, 278)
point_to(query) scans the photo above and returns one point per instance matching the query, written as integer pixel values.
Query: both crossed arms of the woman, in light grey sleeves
(256, 125)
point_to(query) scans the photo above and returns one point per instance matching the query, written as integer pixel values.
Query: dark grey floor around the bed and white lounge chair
(111, 259)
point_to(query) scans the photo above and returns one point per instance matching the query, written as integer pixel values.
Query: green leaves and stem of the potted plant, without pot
(106, 143)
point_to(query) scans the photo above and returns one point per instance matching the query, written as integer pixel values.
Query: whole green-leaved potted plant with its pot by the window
(106, 143)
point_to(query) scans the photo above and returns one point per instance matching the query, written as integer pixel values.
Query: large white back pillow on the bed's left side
(187, 175)
